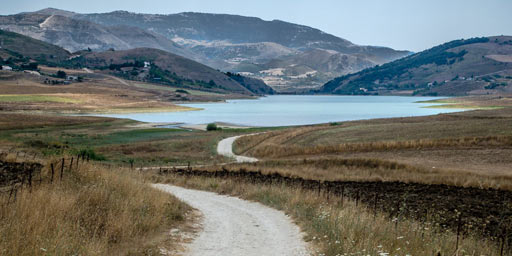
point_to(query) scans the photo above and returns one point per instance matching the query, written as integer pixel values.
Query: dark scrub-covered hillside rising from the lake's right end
(461, 67)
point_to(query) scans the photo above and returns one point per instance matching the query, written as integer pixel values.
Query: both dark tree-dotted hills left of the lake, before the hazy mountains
(165, 68)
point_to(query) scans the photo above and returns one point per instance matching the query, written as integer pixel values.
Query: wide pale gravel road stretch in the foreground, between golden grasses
(232, 226)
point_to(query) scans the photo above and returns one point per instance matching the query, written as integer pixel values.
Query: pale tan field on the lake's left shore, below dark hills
(98, 92)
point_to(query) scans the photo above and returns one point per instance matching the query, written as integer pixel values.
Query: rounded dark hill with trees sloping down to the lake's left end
(165, 68)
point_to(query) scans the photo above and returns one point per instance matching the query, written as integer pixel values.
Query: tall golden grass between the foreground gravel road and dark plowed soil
(337, 227)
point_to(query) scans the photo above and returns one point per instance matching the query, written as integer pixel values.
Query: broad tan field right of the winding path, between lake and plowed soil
(465, 149)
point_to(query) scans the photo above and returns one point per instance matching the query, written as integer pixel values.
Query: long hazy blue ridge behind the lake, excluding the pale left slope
(256, 47)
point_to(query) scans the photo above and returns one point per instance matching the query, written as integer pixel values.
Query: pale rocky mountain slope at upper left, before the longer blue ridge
(75, 35)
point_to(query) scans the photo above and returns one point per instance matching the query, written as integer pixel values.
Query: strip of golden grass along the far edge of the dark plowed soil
(364, 169)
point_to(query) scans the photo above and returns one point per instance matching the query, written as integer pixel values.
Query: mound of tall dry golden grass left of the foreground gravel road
(91, 212)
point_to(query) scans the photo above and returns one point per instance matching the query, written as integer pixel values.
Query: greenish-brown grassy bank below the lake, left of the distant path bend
(118, 141)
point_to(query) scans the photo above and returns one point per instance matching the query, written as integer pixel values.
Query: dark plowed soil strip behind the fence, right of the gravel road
(484, 212)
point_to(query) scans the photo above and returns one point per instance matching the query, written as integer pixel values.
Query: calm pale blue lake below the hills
(295, 110)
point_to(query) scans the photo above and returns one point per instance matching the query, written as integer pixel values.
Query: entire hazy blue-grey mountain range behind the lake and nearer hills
(286, 56)
